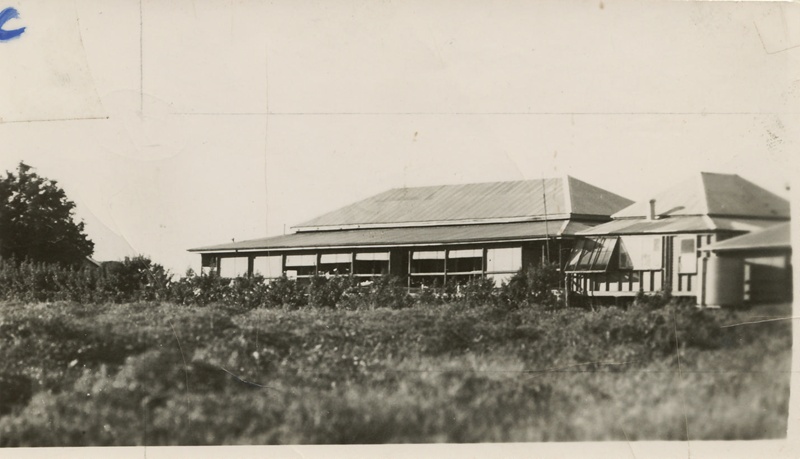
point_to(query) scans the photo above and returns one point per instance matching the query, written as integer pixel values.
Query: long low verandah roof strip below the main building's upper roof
(405, 236)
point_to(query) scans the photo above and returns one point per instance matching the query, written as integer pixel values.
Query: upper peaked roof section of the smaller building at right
(712, 194)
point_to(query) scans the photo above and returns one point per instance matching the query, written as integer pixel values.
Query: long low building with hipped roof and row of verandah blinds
(431, 235)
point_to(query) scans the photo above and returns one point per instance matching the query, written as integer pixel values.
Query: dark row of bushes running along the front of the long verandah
(139, 279)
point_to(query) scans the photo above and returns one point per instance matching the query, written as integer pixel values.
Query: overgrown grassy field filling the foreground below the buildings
(160, 374)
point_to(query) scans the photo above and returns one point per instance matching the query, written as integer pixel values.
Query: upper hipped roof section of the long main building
(524, 200)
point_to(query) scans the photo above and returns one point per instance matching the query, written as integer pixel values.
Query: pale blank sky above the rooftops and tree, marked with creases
(180, 124)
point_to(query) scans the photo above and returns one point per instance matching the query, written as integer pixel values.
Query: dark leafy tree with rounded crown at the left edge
(36, 220)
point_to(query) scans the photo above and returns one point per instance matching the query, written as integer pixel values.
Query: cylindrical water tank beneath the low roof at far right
(724, 281)
